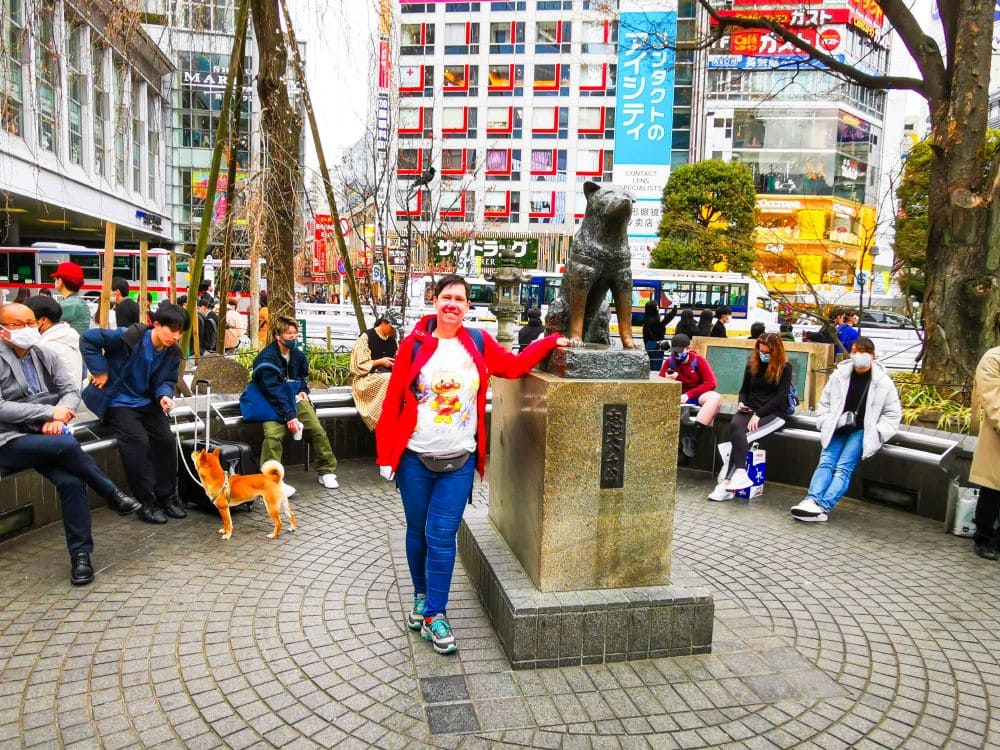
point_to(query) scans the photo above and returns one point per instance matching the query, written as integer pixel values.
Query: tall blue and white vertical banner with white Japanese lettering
(644, 110)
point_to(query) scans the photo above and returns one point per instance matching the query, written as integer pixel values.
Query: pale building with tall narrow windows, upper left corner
(82, 127)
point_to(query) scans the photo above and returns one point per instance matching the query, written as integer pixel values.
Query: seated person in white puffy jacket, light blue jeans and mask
(858, 411)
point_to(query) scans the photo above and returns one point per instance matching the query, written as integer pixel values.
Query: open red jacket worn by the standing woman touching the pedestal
(399, 410)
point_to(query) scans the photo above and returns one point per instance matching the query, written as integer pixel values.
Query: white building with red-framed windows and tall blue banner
(516, 104)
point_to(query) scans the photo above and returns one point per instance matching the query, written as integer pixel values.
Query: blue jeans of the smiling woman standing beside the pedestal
(433, 503)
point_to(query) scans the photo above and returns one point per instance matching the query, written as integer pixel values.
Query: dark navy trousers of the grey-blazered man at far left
(60, 459)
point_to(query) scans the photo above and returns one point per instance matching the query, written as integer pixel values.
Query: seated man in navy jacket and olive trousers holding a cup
(281, 372)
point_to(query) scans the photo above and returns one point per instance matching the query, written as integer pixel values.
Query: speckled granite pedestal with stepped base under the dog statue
(582, 483)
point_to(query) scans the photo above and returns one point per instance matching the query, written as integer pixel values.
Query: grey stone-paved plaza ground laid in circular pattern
(876, 630)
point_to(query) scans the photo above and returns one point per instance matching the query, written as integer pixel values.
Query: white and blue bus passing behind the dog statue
(697, 290)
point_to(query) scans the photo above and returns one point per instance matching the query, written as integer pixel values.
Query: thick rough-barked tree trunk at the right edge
(961, 302)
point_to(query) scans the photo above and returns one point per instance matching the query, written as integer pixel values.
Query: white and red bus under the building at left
(33, 267)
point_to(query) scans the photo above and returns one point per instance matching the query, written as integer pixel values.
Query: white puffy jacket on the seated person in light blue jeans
(882, 411)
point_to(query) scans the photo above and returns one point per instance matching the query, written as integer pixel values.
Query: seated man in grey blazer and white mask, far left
(38, 397)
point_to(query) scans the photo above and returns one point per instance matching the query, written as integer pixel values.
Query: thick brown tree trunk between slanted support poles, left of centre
(281, 128)
